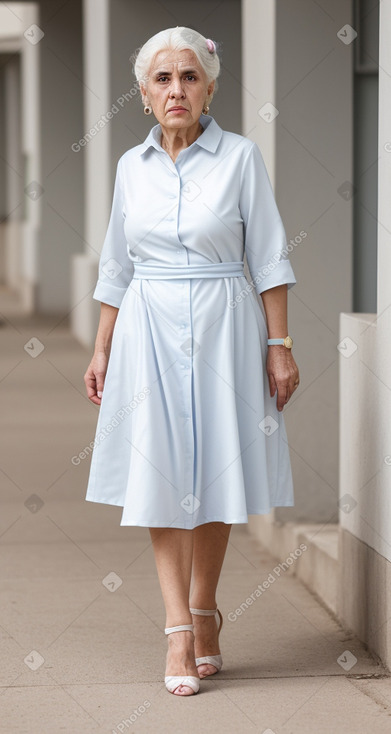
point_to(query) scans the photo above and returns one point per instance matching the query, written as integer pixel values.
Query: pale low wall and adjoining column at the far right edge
(364, 599)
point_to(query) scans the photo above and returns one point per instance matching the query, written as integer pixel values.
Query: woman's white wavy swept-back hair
(177, 39)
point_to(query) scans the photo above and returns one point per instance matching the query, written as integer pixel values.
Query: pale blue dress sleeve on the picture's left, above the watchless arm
(115, 267)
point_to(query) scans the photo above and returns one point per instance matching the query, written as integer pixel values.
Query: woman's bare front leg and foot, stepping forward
(173, 549)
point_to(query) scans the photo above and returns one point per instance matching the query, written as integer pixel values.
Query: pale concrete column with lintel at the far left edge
(23, 152)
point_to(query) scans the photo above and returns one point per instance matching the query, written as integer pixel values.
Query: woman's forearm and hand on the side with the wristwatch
(280, 366)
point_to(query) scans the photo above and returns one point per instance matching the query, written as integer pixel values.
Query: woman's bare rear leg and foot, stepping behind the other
(209, 547)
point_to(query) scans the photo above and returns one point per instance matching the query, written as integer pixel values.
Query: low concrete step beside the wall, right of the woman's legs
(317, 567)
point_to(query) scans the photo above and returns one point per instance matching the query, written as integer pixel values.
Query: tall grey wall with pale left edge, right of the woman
(308, 152)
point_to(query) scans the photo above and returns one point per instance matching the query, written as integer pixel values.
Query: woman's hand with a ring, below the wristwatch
(282, 372)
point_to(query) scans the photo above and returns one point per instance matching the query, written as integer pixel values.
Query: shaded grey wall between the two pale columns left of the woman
(62, 92)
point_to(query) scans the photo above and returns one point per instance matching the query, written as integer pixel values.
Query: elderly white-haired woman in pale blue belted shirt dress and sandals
(190, 369)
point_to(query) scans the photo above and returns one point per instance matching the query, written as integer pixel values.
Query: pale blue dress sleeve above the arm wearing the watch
(265, 242)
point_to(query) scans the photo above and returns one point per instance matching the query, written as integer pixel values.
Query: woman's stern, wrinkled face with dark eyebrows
(176, 89)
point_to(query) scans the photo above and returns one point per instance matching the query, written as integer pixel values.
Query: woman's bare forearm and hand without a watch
(96, 371)
